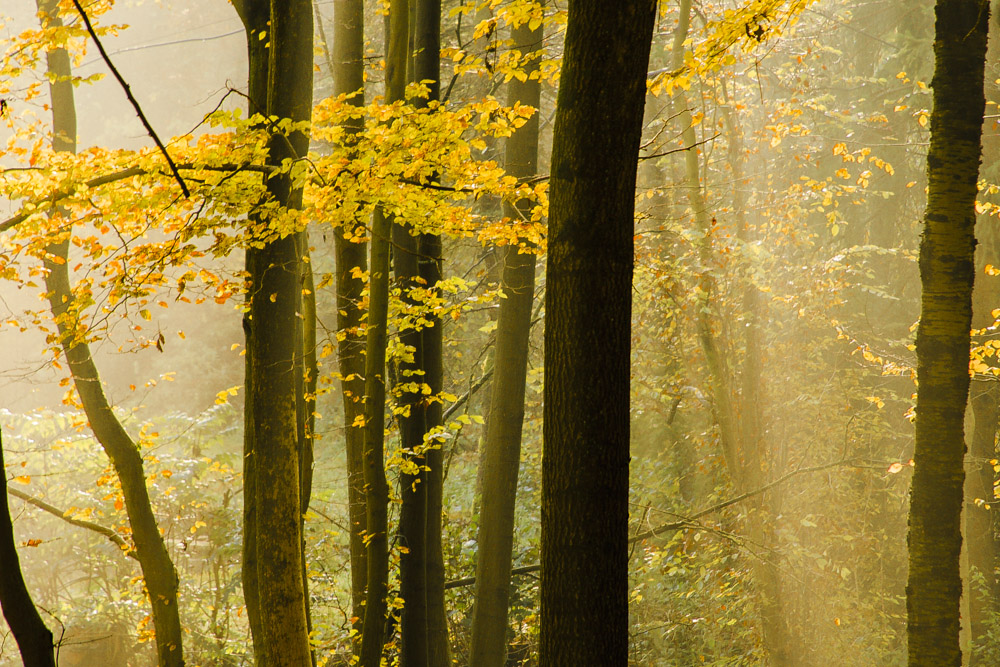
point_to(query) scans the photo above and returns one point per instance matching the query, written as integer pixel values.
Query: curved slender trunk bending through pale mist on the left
(157, 568)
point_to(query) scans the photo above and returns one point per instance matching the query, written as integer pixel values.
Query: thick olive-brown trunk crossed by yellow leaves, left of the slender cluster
(275, 348)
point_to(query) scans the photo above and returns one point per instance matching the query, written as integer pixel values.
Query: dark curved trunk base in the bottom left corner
(34, 639)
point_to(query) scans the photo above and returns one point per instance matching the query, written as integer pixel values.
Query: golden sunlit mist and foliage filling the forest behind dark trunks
(773, 367)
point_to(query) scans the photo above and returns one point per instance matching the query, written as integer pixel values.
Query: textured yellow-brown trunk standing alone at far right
(934, 586)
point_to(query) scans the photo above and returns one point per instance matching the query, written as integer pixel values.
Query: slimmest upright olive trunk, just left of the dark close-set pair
(378, 309)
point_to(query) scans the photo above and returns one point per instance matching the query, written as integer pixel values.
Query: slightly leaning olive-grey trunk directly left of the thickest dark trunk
(501, 458)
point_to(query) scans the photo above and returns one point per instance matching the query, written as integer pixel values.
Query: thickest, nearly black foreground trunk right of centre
(584, 595)
